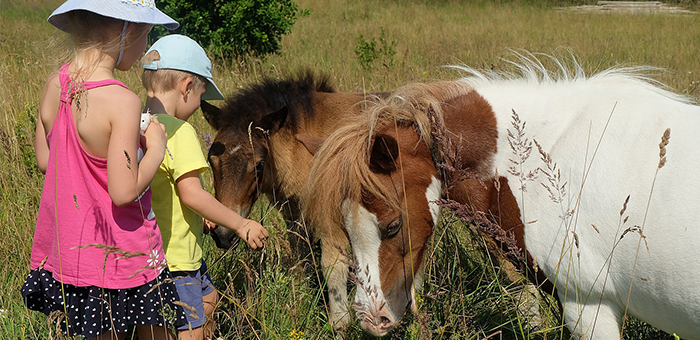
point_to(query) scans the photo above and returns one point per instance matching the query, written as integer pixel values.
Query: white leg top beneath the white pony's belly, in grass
(593, 322)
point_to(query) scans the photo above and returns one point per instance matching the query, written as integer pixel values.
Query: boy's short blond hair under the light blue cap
(163, 80)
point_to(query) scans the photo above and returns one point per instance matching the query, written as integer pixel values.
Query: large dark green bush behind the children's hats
(232, 27)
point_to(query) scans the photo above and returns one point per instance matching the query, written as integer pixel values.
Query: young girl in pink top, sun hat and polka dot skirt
(97, 263)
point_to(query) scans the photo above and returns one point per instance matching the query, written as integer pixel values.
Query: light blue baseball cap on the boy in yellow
(178, 52)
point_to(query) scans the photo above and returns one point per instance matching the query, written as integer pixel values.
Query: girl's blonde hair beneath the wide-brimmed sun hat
(90, 33)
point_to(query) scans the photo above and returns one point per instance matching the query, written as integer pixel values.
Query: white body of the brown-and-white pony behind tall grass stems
(603, 134)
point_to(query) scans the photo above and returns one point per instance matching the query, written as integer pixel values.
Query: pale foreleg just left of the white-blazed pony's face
(335, 266)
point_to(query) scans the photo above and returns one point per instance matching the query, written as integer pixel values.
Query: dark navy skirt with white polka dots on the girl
(92, 311)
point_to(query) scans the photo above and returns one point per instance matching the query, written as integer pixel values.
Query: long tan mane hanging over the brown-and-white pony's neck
(342, 162)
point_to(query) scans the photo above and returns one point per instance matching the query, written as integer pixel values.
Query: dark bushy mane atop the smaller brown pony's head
(269, 95)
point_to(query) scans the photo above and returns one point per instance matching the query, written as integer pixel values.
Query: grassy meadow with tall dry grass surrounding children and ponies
(277, 293)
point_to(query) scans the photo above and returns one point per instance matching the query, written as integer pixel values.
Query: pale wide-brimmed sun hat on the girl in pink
(137, 11)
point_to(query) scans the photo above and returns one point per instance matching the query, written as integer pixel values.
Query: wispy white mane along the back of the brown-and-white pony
(530, 69)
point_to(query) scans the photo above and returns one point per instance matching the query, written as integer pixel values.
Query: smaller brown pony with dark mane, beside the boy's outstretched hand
(256, 152)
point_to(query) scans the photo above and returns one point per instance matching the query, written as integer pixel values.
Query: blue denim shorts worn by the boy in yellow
(192, 286)
